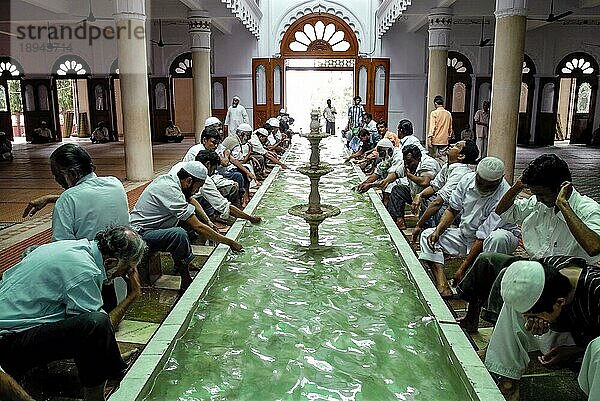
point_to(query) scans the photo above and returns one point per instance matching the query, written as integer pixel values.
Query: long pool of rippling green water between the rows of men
(282, 322)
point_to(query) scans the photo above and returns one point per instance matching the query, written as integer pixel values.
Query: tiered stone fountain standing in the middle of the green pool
(314, 212)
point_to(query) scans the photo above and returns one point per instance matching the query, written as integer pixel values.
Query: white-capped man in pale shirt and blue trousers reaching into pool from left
(167, 202)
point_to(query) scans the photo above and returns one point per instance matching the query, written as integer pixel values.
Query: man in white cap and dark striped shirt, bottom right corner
(551, 305)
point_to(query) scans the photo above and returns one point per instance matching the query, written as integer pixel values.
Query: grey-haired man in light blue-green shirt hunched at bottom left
(50, 306)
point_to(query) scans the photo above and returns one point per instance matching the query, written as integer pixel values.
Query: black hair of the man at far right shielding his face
(547, 170)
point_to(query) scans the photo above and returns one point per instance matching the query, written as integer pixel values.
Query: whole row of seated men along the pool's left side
(60, 302)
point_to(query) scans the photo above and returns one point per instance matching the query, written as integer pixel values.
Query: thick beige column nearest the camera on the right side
(509, 44)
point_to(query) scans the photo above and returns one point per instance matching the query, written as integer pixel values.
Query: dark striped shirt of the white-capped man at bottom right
(581, 316)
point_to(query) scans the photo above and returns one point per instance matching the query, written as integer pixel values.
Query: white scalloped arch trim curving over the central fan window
(334, 8)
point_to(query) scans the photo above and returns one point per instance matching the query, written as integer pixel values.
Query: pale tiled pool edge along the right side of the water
(472, 372)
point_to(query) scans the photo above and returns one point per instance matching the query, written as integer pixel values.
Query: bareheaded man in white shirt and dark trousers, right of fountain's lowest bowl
(419, 170)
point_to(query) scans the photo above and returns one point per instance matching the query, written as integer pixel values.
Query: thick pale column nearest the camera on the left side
(130, 18)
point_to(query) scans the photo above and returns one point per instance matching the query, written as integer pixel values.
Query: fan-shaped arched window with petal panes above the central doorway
(323, 34)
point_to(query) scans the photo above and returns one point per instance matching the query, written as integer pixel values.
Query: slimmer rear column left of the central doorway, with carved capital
(199, 27)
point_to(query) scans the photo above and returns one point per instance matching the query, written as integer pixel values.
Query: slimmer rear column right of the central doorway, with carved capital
(440, 25)
